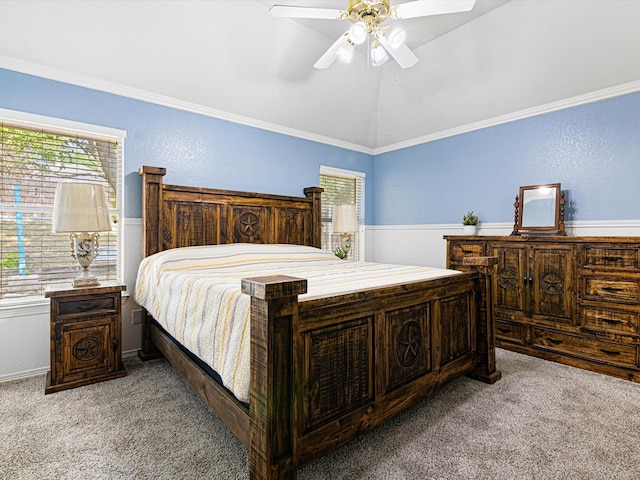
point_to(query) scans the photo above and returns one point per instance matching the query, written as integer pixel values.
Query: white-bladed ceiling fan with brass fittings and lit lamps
(367, 17)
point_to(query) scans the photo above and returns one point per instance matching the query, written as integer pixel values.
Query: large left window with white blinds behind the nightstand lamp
(34, 158)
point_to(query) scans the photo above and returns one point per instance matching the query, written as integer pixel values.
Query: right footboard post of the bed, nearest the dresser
(485, 370)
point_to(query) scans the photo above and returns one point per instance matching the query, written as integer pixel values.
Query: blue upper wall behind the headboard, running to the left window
(195, 149)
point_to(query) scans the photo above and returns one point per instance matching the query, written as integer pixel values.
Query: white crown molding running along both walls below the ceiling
(51, 73)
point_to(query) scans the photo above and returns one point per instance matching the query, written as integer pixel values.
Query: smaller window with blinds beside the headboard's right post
(342, 186)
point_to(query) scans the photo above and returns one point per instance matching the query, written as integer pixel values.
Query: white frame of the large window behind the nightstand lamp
(72, 128)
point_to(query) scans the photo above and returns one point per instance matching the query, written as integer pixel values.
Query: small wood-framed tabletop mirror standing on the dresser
(539, 210)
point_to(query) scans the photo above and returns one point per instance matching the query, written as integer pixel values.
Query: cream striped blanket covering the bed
(194, 294)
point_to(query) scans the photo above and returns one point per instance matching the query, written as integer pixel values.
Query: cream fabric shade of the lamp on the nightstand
(80, 207)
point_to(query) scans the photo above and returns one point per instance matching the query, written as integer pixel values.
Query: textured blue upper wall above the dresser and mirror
(592, 150)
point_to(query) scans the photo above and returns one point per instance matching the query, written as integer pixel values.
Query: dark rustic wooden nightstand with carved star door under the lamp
(86, 334)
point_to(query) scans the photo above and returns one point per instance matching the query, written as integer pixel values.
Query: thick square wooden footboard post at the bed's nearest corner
(273, 403)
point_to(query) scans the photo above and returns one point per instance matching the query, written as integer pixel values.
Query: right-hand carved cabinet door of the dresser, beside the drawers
(552, 283)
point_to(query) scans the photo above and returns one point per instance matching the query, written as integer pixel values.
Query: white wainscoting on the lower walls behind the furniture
(24, 330)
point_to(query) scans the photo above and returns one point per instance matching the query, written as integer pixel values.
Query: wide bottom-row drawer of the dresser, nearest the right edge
(608, 352)
